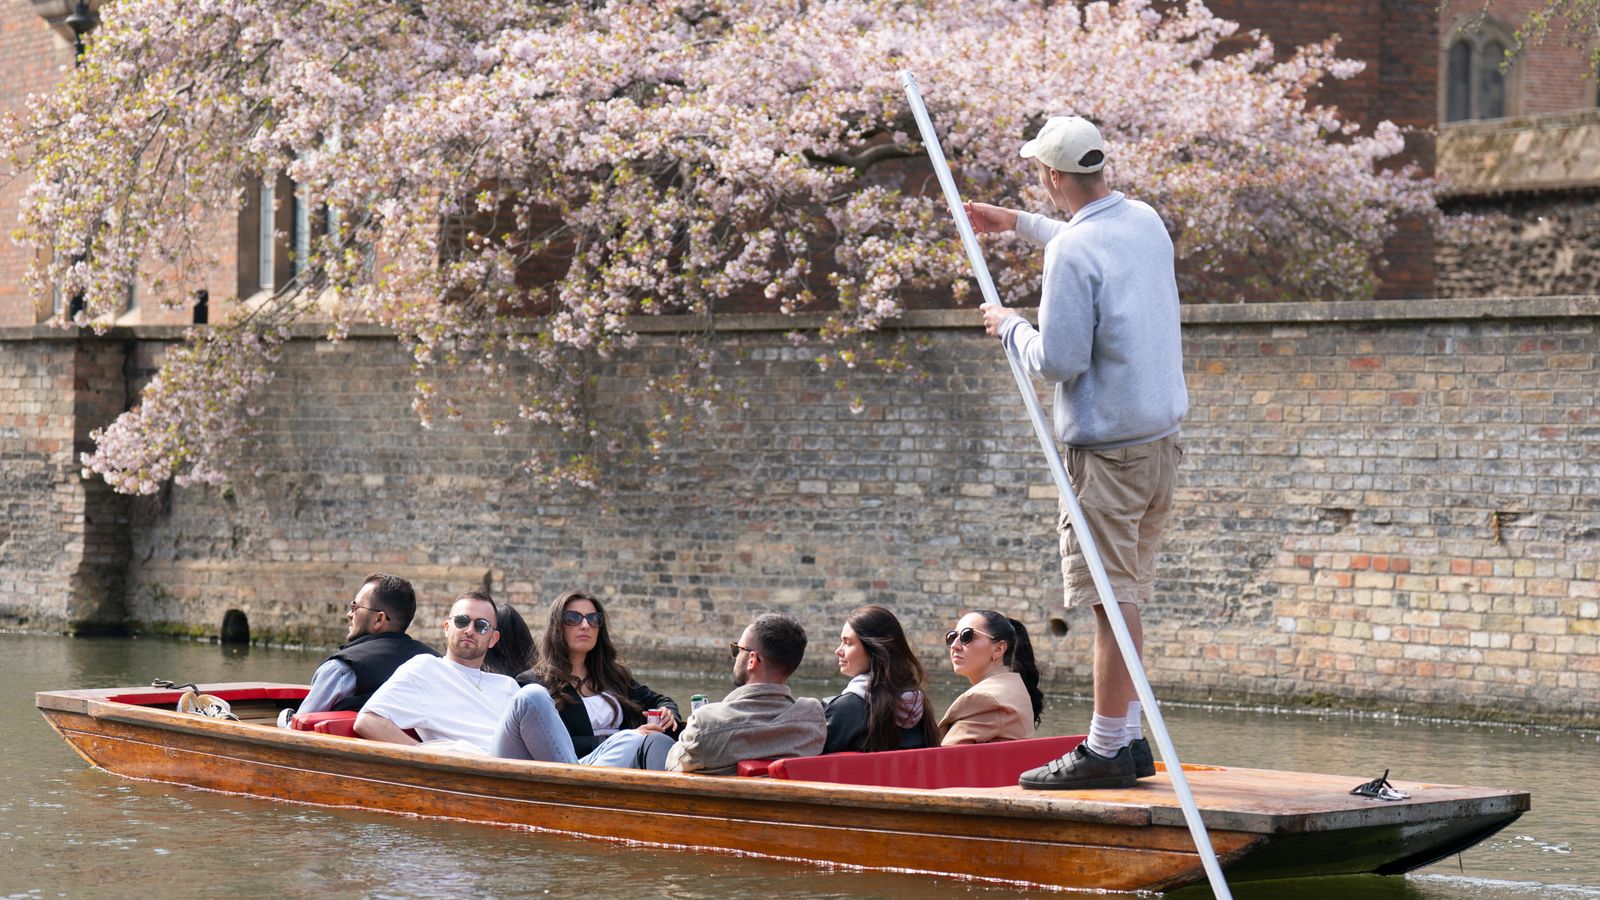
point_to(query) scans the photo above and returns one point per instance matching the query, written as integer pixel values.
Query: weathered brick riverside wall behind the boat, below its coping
(1383, 505)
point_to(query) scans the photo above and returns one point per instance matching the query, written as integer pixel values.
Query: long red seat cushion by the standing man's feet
(961, 766)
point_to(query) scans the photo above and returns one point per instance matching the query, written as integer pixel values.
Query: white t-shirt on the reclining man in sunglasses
(446, 701)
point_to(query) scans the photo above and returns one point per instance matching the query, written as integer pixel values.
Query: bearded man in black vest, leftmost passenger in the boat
(374, 649)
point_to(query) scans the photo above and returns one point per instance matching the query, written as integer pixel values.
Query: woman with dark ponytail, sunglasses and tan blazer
(1004, 704)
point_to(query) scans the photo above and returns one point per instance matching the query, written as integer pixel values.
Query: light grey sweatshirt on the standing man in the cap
(1108, 326)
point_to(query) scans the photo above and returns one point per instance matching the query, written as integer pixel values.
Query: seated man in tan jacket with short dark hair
(761, 718)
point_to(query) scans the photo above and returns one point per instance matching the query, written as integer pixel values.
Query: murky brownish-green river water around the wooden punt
(68, 830)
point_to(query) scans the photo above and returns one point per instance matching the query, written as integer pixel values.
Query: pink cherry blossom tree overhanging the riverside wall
(679, 158)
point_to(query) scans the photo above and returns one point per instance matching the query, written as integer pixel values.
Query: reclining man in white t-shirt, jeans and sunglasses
(455, 704)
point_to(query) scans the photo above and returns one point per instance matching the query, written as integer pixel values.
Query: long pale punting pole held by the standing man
(1047, 441)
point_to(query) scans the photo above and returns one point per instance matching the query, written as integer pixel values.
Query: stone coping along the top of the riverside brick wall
(1313, 313)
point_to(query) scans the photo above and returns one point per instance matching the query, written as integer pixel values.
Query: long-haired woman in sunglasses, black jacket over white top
(593, 689)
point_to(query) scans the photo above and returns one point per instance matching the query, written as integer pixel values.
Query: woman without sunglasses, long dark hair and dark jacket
(884, 705)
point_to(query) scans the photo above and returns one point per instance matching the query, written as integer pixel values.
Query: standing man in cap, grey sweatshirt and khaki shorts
(1110, 340)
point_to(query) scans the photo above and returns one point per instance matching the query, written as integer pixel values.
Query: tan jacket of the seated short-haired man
(758, 721)
